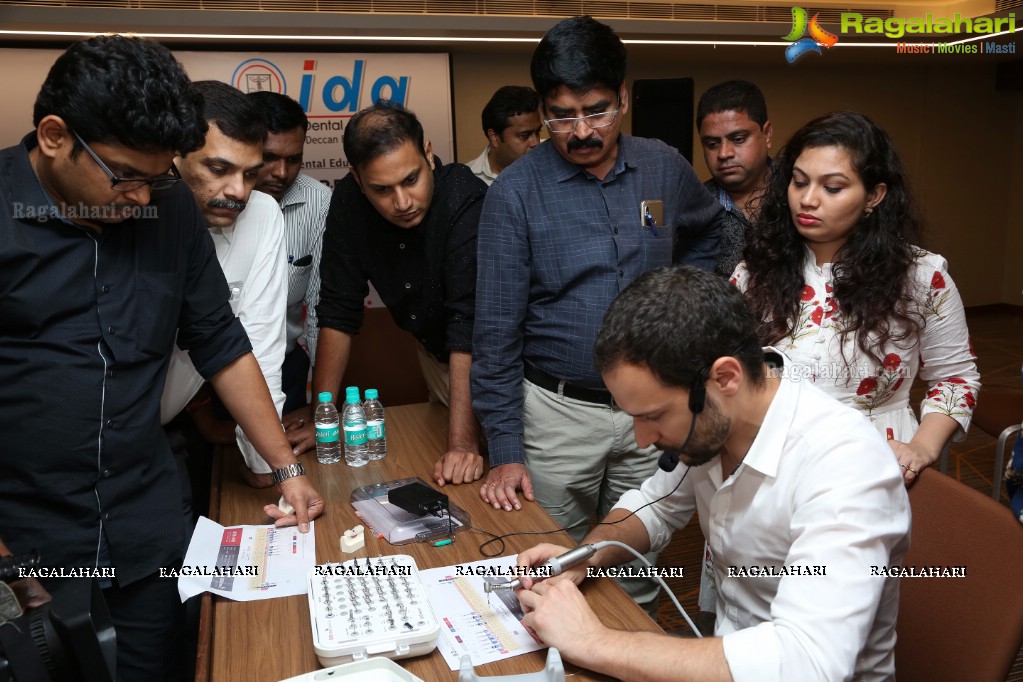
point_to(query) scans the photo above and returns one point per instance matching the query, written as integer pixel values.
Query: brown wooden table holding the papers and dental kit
(271, 641)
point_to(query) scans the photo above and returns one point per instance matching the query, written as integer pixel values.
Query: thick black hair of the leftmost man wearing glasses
(126, 92)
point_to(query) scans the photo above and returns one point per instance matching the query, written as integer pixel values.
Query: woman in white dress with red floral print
(834, 271)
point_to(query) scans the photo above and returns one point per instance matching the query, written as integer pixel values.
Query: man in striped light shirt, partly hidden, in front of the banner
(304, 201)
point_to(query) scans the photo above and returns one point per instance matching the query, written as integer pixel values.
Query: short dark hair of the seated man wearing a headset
(678, 322)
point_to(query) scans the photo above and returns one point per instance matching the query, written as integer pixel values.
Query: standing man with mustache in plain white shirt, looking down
(248, 231)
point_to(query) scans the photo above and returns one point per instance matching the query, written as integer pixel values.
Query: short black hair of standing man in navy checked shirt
(581, 54)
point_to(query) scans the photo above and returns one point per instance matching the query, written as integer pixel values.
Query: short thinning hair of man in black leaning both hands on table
(379, 130)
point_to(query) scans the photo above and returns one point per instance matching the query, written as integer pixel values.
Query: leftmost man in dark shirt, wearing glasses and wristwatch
(104, 257)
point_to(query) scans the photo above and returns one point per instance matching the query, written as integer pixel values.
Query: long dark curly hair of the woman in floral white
(871, 272)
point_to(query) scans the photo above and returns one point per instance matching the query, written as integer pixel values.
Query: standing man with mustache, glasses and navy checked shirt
(564, 231)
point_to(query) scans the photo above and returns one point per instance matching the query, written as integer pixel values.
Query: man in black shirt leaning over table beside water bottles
(411, 230)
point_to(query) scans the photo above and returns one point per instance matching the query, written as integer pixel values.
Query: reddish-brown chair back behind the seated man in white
(960, 628)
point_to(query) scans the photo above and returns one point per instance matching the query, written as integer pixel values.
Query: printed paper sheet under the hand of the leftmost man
(247, 563)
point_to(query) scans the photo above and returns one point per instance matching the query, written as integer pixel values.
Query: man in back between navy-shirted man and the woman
(735, 134)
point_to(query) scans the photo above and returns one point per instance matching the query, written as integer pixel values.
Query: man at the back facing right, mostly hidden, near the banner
(512, 124)
